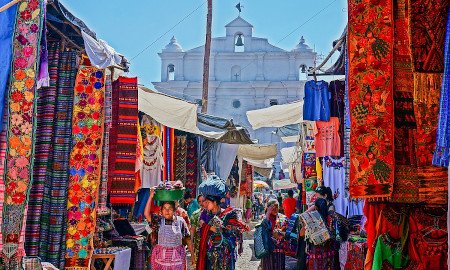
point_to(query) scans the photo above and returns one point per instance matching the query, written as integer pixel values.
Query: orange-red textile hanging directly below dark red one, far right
(433, 187)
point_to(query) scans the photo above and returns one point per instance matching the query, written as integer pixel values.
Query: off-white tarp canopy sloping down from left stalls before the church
(172, 112)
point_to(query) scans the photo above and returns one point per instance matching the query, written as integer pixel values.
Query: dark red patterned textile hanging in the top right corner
(427, 21)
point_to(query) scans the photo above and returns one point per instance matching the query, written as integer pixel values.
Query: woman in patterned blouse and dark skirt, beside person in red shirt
(274, 224)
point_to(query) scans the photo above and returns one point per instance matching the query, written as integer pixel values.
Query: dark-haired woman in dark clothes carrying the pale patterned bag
(326, 255)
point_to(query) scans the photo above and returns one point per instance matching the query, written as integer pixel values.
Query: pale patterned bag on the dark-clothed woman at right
(315, 228)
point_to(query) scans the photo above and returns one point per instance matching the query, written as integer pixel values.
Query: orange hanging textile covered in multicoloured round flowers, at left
(85, 165)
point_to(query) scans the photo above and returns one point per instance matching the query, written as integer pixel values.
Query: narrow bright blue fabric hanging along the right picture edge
(442, 151)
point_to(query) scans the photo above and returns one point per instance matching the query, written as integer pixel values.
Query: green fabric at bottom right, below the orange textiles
(390, 252)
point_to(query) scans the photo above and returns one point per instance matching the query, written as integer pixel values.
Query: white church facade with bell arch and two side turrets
(246, 73)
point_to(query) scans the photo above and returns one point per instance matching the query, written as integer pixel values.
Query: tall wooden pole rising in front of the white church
(206, 58)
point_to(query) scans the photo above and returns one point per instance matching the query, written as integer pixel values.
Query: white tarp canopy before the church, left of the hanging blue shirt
(277, 115)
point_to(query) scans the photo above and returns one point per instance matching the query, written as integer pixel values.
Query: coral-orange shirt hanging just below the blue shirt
(327, 139)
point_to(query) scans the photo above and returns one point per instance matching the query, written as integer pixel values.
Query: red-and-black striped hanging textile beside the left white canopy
(123, 177)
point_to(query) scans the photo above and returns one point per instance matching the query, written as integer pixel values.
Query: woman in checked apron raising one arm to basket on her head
(169, 232)
